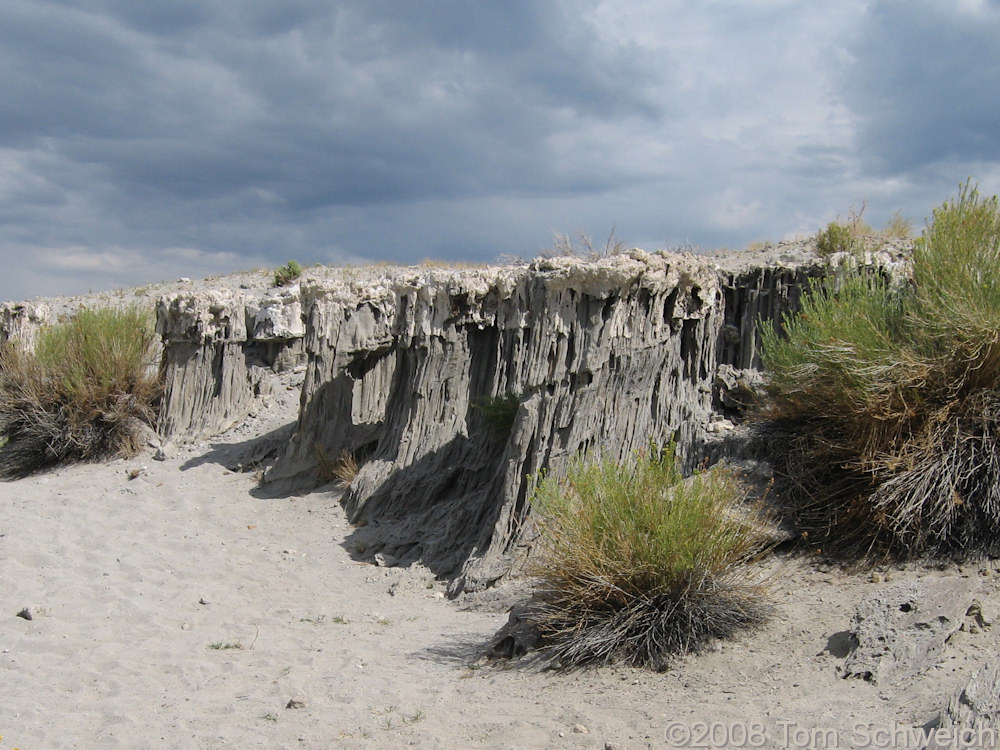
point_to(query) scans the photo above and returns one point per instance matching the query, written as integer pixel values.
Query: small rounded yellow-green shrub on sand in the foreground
(638, 564)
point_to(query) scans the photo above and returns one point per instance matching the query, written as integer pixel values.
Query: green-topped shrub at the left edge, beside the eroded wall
(82, 394)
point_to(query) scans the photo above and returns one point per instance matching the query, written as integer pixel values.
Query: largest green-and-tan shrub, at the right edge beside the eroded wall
(887, 402)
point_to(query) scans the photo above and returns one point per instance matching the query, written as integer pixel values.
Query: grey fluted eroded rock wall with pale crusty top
(405, 366)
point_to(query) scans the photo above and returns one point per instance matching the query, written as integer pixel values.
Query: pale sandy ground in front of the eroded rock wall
(179, 609)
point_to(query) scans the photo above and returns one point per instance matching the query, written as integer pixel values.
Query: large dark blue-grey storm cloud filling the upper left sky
(355, 104)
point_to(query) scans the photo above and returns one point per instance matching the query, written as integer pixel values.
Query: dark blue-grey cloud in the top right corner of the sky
(926, 83)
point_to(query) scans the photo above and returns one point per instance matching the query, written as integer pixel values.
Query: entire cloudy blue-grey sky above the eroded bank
(145, 140)
